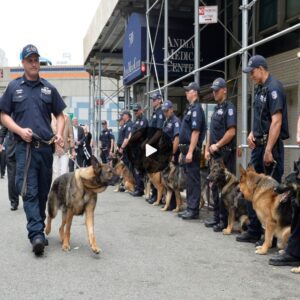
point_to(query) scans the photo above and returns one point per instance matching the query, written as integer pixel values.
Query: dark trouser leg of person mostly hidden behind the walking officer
(11, 175)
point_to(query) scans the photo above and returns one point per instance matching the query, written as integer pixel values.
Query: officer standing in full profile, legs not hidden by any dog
(192, 133)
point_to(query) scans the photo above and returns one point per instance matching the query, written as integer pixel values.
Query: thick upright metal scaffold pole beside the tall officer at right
(244, 8)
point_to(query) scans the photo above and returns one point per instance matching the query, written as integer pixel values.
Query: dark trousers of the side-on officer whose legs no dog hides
(193, 189)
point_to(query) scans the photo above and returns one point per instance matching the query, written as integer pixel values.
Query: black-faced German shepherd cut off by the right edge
(291, 187)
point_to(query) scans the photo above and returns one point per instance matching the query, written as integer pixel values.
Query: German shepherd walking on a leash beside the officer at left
(75, 193)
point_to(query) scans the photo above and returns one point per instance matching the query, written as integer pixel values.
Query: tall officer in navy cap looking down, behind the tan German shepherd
(269, 128)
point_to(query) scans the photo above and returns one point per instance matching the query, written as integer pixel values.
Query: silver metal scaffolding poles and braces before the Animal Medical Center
(151, 61)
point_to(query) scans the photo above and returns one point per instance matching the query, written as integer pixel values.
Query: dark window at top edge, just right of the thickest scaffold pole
(267, 13)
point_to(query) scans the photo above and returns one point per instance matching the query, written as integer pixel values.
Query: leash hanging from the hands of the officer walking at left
(36, 141)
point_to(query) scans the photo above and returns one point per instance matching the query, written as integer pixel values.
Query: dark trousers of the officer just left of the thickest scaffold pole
(220, 212)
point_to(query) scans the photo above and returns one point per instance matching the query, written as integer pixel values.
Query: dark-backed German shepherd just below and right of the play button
(174, 180)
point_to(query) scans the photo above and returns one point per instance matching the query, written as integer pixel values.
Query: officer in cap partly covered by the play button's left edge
(139, 123)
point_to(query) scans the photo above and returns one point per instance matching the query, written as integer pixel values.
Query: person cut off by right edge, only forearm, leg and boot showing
(291, 255)
